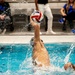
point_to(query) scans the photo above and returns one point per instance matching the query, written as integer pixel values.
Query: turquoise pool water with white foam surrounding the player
(15, 59)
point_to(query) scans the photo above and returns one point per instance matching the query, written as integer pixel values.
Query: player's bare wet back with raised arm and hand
(40, 55)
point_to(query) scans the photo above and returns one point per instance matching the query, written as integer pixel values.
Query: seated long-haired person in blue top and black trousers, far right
(68, 13)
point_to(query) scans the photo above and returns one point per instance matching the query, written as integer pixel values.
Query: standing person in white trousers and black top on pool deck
(43, 6)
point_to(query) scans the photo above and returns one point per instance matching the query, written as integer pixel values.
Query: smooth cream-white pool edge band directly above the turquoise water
(22, 39)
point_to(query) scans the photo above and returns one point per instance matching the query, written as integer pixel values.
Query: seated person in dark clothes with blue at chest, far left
(5, 16)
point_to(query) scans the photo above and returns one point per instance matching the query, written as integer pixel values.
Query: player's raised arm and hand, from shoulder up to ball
(36, 30)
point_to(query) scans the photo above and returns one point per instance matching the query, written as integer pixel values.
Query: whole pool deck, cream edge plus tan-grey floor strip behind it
(19, 37)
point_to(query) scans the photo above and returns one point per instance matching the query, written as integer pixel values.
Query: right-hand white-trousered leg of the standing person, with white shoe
(49, 15)
